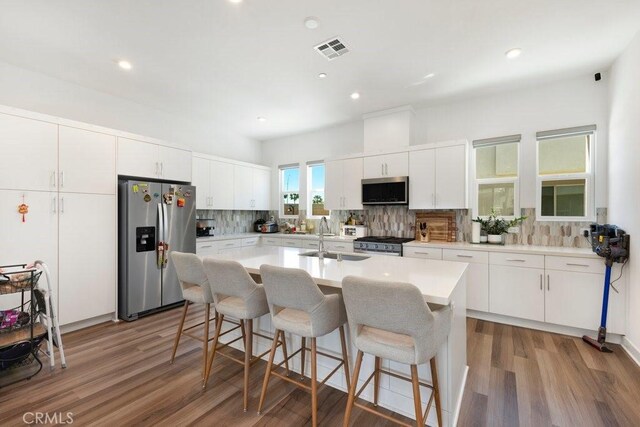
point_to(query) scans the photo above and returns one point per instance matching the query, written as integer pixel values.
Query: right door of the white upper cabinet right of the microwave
(451, 177)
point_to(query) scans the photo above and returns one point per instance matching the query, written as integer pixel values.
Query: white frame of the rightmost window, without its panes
(588, 176)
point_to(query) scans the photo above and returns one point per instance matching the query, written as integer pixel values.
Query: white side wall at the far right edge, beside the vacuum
(624, 168)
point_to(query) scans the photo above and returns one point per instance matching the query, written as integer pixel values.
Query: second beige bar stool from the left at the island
(236, 295)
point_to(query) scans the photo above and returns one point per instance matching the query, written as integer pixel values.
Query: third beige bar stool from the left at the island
(298, 307)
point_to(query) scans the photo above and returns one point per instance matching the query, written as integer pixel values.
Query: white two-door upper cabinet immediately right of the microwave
(438, 178)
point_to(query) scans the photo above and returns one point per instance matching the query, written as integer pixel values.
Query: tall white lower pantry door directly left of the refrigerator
(87, 254)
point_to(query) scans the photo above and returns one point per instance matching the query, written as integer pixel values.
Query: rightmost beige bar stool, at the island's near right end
(392, 321)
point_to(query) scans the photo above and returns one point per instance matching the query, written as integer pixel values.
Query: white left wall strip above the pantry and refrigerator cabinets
(37, 92)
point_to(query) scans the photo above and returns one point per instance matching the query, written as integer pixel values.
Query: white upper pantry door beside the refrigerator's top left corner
(87, 161)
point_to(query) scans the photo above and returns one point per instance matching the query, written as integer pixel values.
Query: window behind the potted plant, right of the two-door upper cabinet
(496, 169)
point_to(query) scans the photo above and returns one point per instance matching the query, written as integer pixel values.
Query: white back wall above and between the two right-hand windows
(567, 103)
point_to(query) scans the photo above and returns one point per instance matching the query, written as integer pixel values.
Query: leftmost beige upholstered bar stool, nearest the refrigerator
(196, 290)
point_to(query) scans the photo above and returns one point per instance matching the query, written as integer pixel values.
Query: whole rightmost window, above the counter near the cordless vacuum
(565, 177)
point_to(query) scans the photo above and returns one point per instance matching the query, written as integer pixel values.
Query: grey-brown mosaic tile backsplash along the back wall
(400, 221)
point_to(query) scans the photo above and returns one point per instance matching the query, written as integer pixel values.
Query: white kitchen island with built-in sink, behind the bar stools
(440, 282)
